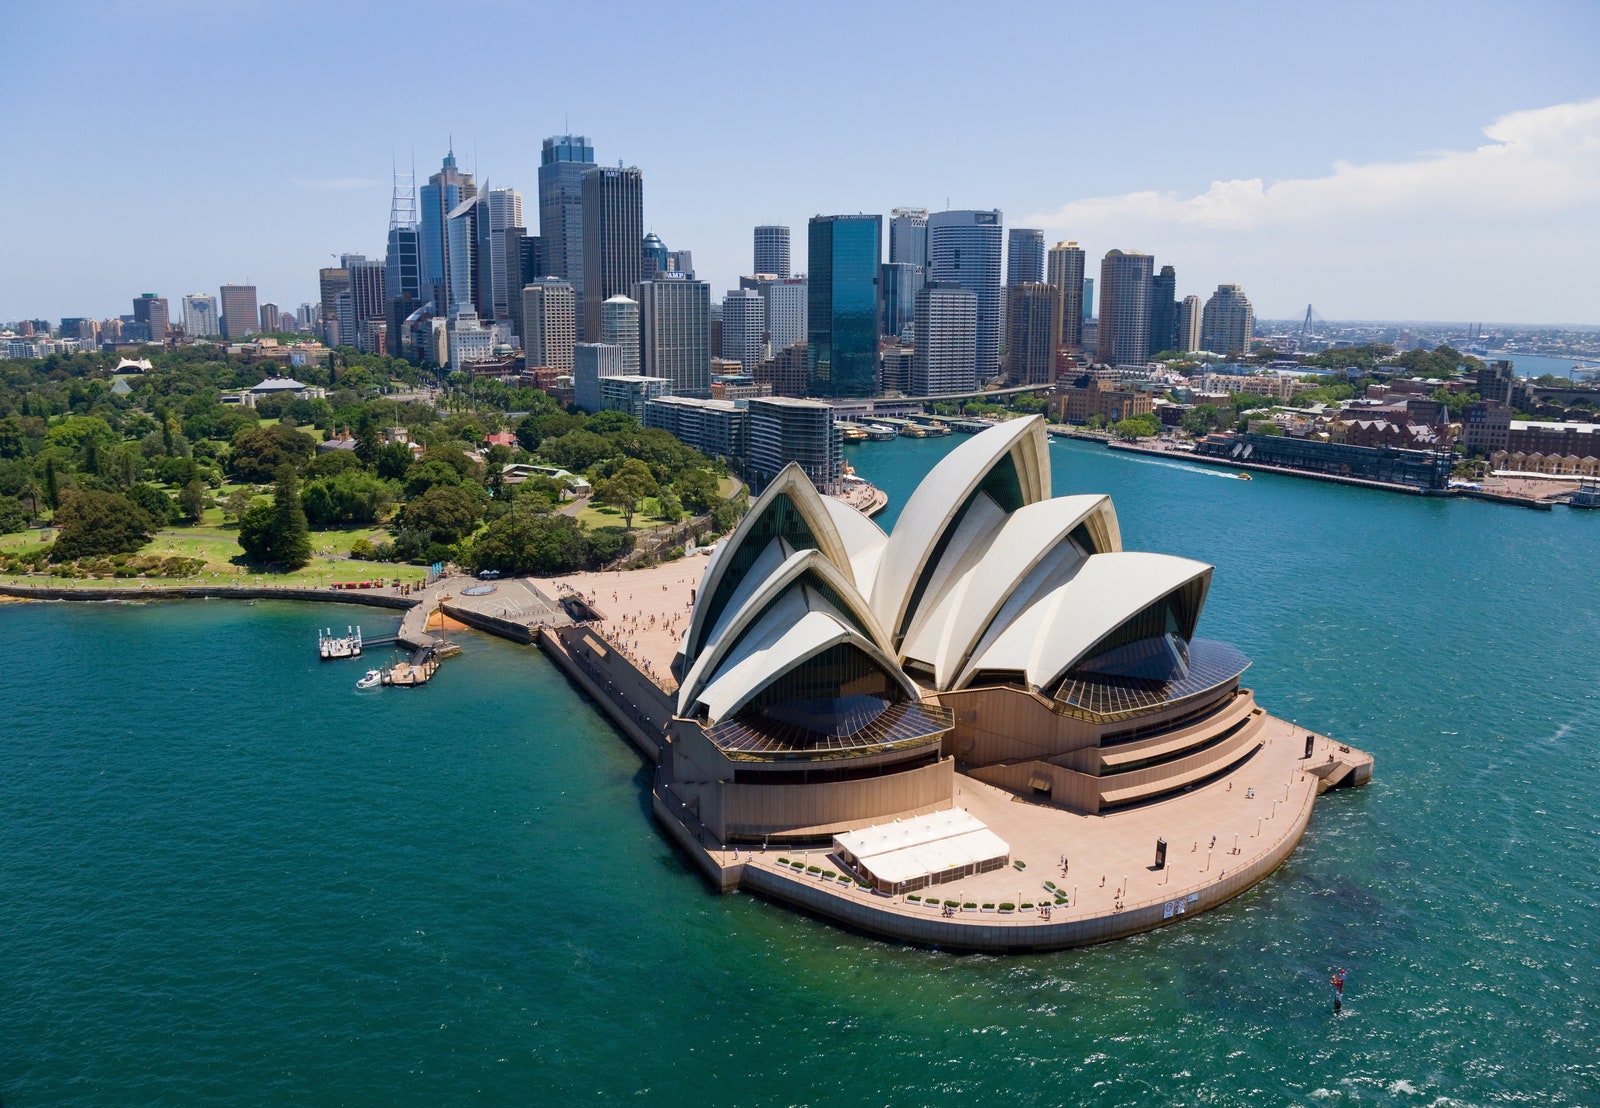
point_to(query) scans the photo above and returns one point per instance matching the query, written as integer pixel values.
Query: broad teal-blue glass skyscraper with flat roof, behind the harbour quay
(842, 311)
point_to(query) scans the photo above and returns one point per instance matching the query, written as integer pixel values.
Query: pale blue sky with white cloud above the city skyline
(1382, 161)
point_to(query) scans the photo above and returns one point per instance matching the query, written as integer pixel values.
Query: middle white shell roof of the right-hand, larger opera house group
(962, 611)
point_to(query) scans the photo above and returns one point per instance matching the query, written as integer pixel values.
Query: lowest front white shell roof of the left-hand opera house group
(796, 630)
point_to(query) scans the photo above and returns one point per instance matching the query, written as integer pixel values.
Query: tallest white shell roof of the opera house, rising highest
(942, 494)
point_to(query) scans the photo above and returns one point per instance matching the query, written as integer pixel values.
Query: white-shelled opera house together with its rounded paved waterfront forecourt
(988, 729)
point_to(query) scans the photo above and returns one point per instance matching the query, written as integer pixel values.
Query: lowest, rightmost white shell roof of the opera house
(1108, 590)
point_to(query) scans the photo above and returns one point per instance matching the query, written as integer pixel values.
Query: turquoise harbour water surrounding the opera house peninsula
(230, 878)
